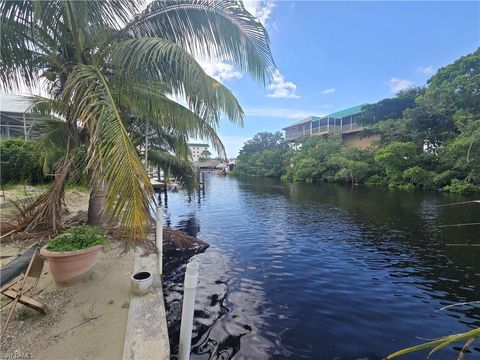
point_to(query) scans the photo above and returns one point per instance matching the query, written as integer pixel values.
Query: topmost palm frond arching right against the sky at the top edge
(219, 29)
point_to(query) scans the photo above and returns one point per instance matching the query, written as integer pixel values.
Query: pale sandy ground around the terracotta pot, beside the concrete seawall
(86, 320)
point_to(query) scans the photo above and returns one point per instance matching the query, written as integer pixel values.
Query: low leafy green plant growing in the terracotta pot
(77, 238)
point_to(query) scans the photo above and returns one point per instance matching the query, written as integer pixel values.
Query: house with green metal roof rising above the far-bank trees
(340, 122)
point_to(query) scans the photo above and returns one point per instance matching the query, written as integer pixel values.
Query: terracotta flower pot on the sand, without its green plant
(70, 266)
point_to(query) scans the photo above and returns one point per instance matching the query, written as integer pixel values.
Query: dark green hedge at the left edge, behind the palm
(20, 162)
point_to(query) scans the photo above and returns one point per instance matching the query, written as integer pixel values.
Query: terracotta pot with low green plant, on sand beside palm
(72, 254)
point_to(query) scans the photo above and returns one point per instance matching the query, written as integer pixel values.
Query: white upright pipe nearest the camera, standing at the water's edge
(190, 289)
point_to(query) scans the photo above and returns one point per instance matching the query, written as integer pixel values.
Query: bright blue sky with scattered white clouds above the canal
(332, 55)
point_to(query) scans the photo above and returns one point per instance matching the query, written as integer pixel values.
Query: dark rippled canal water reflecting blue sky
(325, 271)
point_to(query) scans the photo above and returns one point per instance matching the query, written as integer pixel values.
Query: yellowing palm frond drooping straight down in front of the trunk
(112, 156)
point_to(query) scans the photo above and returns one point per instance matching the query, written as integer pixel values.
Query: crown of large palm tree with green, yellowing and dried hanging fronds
(106, 62)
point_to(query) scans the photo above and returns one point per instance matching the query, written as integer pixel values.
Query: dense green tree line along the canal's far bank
(429, 138)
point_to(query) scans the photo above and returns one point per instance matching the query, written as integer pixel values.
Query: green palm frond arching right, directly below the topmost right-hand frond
(162, 65)
